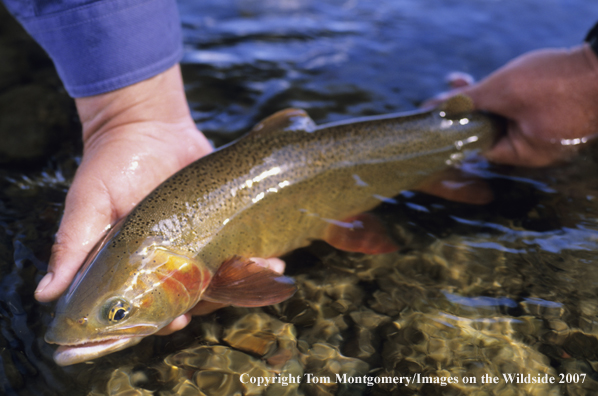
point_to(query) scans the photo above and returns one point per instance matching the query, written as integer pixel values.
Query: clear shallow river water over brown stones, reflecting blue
(507, 290)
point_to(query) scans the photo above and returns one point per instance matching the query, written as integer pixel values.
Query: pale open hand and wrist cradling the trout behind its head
(134, 138)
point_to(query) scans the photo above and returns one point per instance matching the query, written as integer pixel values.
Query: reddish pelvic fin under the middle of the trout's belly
(363, 233)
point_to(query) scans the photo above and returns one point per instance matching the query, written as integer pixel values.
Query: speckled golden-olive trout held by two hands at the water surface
(276, 189)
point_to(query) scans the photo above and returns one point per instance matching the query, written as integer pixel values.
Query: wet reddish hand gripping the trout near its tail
(550, 99)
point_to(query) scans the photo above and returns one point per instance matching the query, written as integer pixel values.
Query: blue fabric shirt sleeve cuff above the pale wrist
(102, 45)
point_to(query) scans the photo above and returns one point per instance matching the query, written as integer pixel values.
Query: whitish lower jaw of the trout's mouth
(66, 355)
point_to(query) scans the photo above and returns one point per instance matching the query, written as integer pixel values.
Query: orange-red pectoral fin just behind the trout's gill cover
(241, 282)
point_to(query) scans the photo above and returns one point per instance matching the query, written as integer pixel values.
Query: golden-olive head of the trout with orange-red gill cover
(125, 291)
